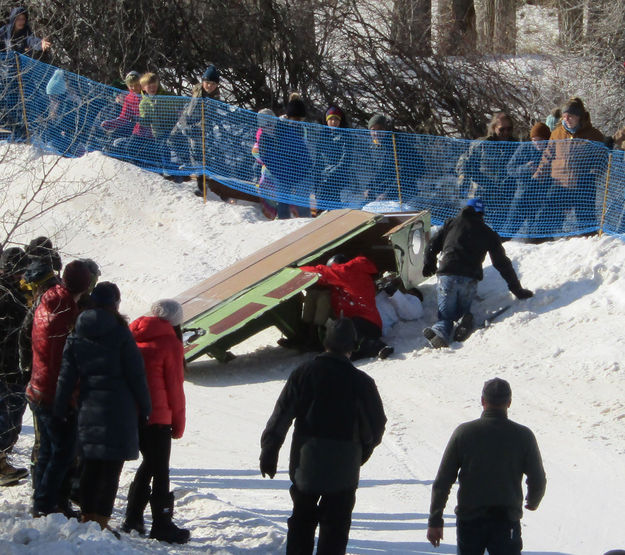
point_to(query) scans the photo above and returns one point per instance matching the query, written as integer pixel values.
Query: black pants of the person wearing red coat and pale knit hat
(155, 446)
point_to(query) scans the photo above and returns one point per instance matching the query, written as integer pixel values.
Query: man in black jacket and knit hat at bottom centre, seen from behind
(339, 420)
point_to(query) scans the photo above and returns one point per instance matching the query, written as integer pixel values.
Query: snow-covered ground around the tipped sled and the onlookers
(562, 352)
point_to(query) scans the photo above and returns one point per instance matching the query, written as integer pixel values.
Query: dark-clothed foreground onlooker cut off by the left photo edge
(12, 384)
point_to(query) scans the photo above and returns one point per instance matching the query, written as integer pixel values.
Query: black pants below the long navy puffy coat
(98, 486)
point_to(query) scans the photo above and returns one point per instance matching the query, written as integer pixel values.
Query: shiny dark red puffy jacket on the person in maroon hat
(54, 318)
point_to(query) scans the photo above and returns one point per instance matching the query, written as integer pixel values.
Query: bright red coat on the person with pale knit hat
(163, 354)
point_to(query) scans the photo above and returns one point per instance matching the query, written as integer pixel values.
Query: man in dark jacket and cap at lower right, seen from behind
(492, 454)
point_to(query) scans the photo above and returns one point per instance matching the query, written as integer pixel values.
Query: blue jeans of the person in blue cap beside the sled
(455, 295)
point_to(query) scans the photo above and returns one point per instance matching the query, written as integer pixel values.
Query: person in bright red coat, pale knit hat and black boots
(159, 340)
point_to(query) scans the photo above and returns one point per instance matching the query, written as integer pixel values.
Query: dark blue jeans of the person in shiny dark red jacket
(57, 449)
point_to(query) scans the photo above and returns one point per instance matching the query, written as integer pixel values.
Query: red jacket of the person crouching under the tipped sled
(353, 288)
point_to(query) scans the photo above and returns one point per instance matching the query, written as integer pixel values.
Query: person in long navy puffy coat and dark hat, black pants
(102, 359)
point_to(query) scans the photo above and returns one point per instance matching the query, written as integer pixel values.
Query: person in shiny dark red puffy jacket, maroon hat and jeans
(53, 320)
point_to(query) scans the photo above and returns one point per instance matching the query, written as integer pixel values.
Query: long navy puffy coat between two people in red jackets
(102, 356)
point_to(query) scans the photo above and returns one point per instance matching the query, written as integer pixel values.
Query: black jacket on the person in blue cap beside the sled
(464, 242)
